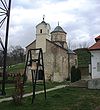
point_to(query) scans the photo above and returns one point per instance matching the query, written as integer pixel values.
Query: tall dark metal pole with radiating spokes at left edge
(7, 13)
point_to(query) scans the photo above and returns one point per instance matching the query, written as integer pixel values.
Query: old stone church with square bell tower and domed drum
(55, 52)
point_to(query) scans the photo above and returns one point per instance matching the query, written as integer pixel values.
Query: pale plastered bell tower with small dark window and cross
(42, 33)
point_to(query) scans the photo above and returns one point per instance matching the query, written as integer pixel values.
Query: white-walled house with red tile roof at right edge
(95, 58)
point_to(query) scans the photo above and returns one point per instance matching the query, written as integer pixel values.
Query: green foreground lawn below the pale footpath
(63, 99)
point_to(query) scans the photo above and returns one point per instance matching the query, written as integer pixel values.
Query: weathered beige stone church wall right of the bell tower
(58, 58)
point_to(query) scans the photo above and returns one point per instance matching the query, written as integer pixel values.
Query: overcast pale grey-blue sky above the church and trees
(79, 18)
